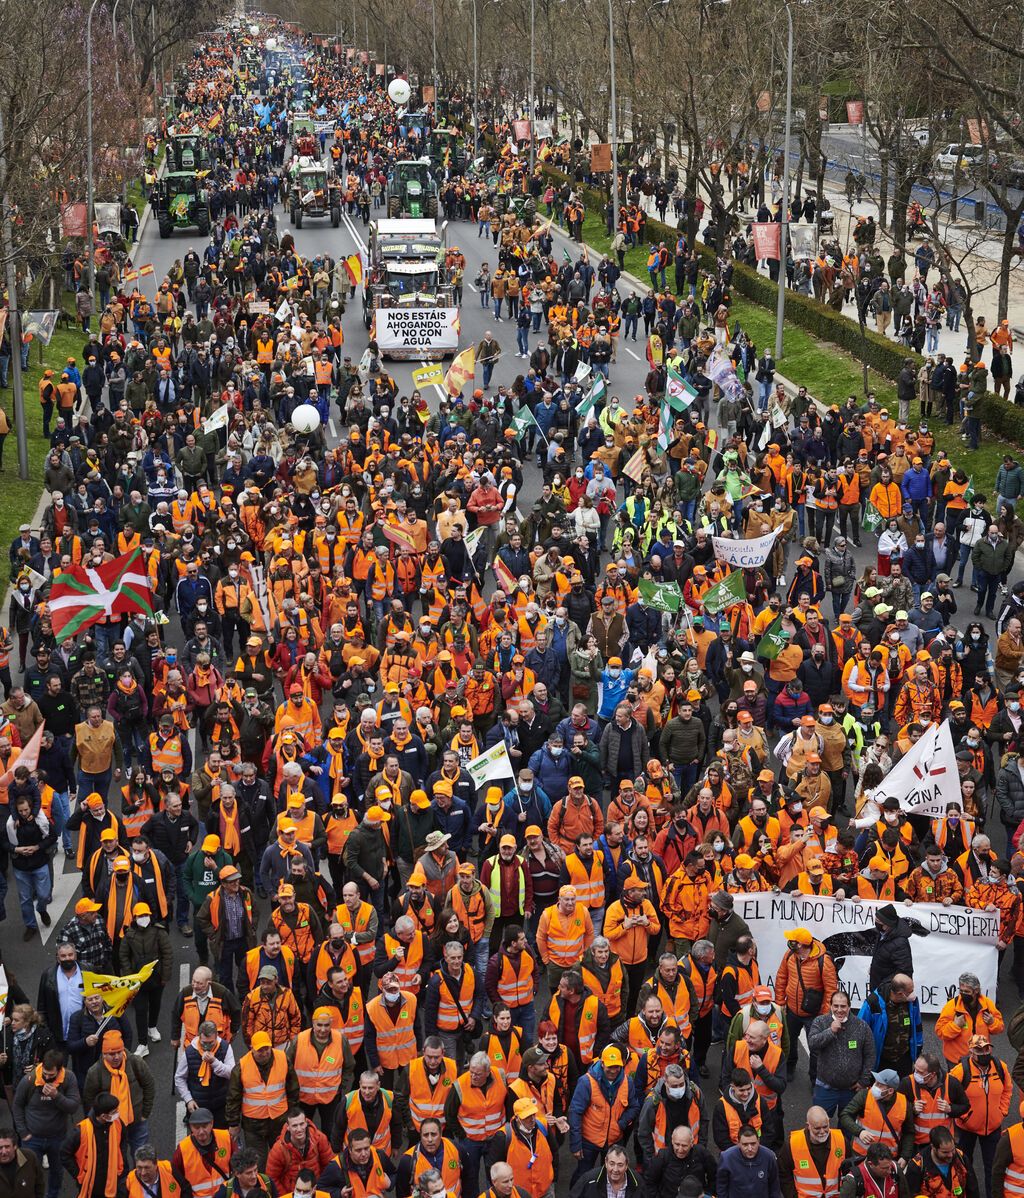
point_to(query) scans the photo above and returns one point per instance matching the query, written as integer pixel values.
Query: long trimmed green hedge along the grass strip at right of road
(820, 320)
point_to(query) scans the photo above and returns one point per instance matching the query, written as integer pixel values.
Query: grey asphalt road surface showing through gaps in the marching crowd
(627, 380)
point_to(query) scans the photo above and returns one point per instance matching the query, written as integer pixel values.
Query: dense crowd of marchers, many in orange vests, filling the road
(423, 978)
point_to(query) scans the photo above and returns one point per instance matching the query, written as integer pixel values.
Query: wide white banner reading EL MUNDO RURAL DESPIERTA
(959, 940)
